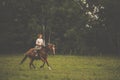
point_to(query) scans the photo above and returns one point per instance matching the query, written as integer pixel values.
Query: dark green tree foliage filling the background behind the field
(75, 26)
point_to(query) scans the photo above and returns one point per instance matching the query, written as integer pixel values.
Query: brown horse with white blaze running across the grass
(42, 55)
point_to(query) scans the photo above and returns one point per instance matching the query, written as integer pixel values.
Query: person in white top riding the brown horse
(39, 44)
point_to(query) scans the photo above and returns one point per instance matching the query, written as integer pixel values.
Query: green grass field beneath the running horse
(65, 67)
